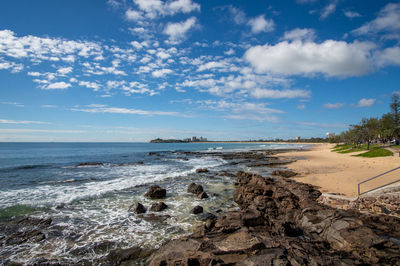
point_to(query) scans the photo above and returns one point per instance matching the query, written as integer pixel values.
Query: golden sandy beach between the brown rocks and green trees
(339, 173)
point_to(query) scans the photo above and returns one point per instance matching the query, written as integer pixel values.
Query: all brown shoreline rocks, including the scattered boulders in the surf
(280, 222)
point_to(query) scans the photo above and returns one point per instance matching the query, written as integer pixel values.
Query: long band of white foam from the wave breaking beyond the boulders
(67, 191)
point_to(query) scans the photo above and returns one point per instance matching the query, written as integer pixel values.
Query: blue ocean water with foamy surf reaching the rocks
(89, 203)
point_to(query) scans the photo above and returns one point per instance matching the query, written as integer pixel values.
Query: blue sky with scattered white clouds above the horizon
(134, 70)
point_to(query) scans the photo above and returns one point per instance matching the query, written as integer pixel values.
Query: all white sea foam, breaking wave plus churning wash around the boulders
(108, 219)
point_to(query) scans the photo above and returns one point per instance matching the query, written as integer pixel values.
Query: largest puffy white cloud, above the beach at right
(331, 58)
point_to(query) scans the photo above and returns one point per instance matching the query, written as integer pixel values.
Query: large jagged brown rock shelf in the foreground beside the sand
(280, 222)
